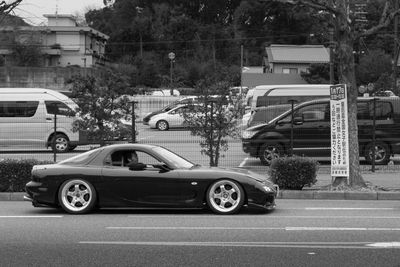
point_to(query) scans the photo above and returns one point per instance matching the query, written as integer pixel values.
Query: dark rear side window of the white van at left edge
(18, 108)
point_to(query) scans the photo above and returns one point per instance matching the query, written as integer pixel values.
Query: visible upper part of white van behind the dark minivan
(264, 95)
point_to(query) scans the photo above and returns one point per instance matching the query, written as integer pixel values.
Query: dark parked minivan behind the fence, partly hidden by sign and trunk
(312, 133)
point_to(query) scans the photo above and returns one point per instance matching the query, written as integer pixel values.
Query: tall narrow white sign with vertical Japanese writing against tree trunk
(339, 131)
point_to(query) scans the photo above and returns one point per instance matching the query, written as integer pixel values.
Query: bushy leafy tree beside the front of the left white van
(101, 107)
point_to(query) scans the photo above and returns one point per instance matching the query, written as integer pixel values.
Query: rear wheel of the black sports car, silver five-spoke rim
(77, 196)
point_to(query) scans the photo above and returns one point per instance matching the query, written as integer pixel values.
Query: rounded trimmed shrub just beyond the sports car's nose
(293, 172)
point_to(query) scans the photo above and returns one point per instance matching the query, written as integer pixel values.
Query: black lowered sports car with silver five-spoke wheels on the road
(138, 175)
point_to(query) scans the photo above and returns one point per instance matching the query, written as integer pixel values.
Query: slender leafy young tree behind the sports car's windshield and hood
(213, 118)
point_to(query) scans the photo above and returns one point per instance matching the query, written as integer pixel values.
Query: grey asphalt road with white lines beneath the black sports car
(297, 233)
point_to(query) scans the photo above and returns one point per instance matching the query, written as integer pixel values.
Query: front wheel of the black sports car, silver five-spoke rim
(225, 197)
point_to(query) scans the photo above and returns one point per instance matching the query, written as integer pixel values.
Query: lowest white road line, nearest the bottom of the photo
(315, 245)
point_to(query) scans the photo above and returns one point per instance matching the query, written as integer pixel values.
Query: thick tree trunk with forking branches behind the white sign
(346, 36)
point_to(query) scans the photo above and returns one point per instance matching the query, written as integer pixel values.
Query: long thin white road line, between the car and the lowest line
(253, 228)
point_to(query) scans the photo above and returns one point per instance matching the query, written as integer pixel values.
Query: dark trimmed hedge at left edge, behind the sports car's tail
(14, 174)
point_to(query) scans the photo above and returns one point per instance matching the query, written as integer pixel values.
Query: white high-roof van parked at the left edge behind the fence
(27, 118)
